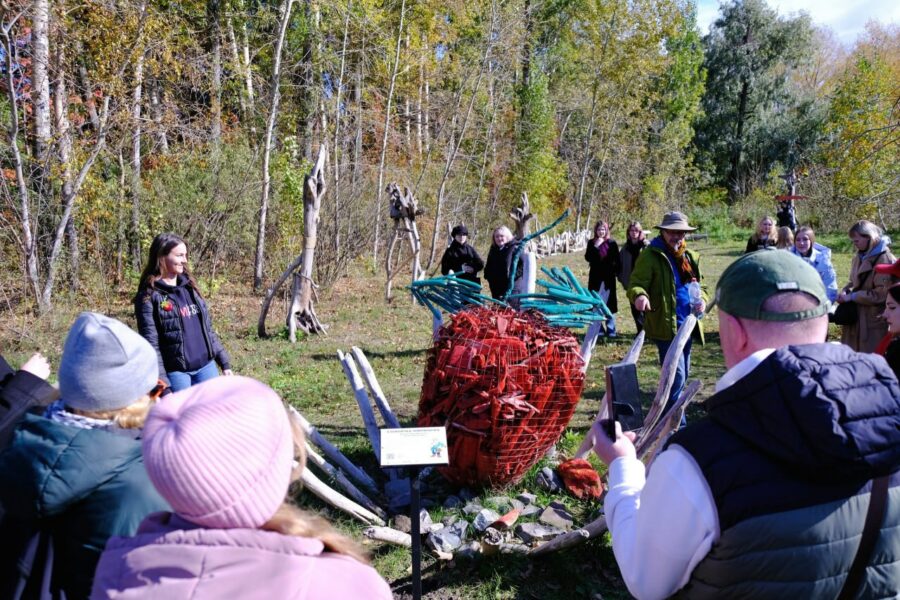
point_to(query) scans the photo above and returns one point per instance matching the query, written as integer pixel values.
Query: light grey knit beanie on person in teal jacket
(105, 365)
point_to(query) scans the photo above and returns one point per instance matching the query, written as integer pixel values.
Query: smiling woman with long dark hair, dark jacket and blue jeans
(173, 317)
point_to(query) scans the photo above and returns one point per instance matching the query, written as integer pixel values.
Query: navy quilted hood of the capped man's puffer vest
(823, 410)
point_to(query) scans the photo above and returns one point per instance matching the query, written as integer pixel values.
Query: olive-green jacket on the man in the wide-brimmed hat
(653, 277)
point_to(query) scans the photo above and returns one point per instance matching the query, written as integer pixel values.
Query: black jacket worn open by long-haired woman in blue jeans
(162, 328)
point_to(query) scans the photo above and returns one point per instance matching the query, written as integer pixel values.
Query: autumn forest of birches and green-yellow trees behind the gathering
(128, 118)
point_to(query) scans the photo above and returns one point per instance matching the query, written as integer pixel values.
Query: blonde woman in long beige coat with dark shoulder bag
(866, 287)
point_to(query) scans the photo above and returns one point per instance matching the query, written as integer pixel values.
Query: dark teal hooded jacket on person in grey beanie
(82, 486)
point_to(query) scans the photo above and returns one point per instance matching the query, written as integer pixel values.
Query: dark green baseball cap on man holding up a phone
(753, 278)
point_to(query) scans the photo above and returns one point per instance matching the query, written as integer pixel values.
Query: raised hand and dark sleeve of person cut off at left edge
(21, 391)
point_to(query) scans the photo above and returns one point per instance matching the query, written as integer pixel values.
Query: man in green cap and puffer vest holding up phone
(790, 486)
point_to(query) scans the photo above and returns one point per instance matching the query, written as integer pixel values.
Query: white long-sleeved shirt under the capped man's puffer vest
(663, 525)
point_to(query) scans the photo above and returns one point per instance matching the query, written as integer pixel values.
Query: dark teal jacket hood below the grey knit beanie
(50, 466)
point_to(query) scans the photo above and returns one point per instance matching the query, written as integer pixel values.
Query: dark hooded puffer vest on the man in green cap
(788, 452)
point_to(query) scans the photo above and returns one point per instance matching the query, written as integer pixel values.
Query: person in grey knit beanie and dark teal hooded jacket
(75, 477)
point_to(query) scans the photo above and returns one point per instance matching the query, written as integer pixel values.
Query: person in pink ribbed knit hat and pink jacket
(221, 453)
